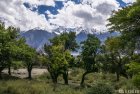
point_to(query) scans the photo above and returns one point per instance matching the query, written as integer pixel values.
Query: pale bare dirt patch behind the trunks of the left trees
(22, 73)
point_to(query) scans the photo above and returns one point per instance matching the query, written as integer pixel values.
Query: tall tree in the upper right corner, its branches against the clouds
(126, 21)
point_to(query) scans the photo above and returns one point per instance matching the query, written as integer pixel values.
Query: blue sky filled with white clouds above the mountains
(50, 14)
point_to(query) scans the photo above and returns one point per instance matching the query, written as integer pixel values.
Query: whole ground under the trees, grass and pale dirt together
(42, 83)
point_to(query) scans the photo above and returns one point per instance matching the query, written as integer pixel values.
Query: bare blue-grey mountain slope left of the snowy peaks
(37, 38)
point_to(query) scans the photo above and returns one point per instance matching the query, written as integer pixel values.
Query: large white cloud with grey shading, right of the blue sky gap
(89, 14)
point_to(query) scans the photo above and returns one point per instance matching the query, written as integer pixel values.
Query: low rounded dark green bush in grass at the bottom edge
(101, 88)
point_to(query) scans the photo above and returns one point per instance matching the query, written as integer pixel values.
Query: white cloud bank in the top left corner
(13, 12)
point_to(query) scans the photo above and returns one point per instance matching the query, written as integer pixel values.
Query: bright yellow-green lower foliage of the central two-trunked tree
(57, 58)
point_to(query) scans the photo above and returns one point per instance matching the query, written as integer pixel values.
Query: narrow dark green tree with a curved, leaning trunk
(90, 50)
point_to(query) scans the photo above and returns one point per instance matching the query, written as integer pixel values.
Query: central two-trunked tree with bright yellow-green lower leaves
(58, 54)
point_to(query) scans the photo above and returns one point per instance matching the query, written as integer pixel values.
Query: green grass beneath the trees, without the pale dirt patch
(43, 85)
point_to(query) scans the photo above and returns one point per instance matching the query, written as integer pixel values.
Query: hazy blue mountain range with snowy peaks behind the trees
(36, 38)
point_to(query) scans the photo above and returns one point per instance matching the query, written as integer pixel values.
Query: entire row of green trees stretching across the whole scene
(117, 55)
